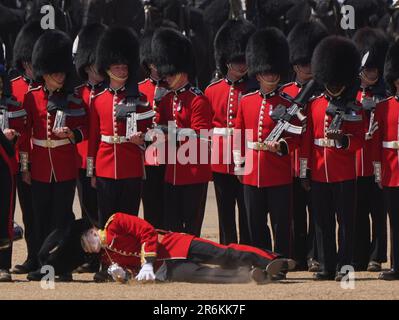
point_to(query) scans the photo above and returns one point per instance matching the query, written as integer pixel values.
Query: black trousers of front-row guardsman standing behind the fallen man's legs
(277, 201)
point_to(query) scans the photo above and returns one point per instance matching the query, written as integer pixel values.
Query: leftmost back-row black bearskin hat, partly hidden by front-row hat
(23, 47)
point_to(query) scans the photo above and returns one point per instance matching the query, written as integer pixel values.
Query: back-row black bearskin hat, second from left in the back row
(87, 46)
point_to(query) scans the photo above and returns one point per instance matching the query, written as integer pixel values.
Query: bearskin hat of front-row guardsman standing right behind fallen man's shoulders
(118, 45)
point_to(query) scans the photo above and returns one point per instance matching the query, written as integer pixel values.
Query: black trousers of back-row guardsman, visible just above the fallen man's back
(153, 195)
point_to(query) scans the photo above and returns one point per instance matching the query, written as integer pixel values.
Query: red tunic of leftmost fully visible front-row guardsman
(59, 162)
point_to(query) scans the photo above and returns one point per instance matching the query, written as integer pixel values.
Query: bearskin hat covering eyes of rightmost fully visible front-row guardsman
(336, 62)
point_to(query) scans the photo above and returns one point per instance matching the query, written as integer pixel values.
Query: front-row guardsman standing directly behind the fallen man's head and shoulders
(116, 143)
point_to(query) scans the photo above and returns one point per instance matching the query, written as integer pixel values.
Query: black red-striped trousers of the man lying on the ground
(228, 259)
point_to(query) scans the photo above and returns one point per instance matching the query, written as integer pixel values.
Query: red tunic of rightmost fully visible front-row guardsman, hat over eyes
(329, 164)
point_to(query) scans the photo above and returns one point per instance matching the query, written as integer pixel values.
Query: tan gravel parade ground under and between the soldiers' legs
(298, 285)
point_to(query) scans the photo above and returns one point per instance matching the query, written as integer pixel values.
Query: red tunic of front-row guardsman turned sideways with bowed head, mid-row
(188, 108)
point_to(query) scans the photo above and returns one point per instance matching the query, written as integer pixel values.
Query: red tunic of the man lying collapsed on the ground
(129, 240)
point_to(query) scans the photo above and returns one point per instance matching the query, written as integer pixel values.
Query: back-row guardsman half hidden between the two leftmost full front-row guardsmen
(93, 84)
